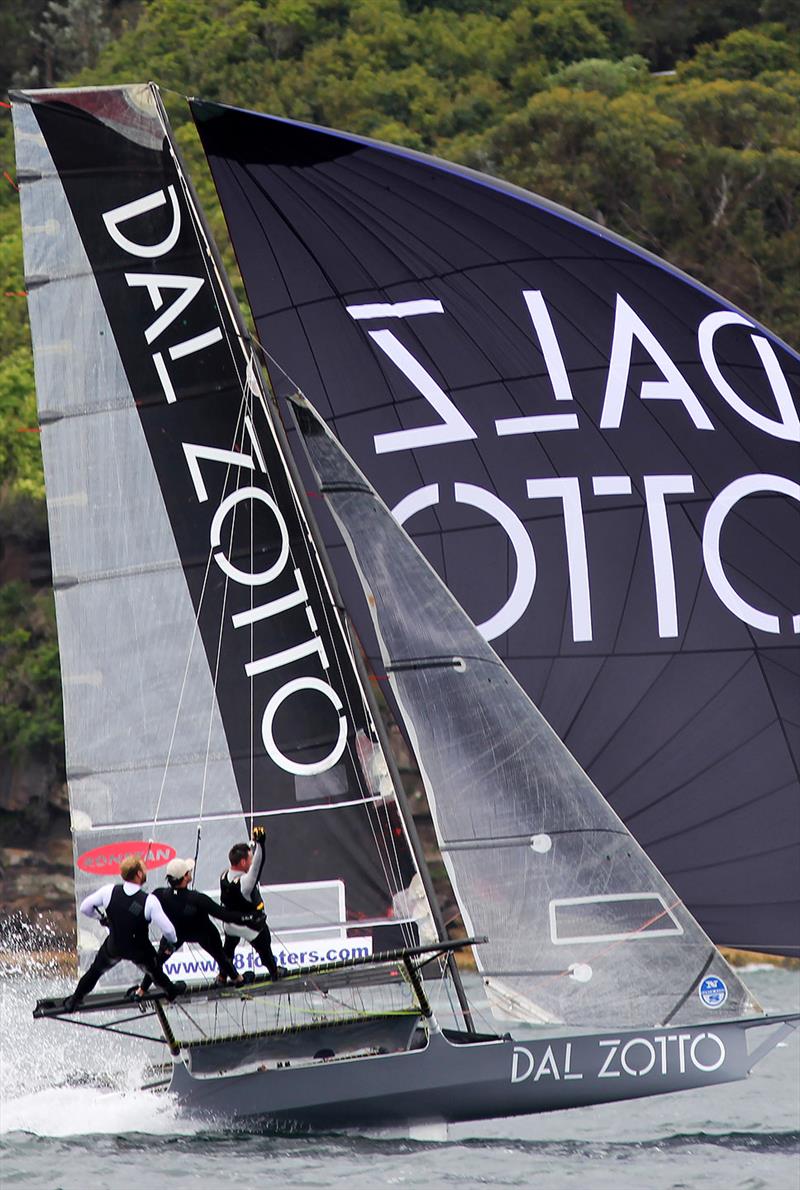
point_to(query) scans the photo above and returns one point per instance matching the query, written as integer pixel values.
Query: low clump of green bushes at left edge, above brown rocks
(30, 690)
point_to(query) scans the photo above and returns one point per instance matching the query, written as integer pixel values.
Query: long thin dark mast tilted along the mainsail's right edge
(301, 494)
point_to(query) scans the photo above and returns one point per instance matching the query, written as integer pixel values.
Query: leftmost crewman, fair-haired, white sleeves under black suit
(128, 911)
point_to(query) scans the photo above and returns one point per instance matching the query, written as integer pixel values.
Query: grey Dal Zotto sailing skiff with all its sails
(211, 674)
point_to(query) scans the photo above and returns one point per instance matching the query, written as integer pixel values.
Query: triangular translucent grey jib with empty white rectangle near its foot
(582, 926)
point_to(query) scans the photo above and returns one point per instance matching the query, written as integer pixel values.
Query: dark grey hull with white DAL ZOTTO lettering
(453, 1079)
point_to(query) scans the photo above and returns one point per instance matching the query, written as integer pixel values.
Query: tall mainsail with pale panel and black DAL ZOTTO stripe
(208, 678)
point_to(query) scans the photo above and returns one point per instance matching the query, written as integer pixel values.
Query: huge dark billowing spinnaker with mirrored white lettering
(617, 446)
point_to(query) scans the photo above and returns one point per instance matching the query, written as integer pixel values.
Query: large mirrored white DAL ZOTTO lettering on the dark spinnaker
(657, 491)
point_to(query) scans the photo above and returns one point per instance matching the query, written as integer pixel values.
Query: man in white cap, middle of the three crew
(191, 913)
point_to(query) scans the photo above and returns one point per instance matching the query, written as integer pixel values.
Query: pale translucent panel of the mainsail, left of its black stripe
(142, 726)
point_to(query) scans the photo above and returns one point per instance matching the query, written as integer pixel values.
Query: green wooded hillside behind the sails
(558, 96)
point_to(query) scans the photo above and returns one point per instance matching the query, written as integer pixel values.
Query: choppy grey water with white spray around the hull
(72, 1119)
